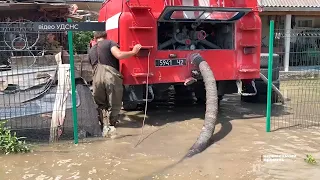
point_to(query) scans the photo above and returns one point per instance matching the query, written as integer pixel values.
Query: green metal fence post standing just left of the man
(73, 87)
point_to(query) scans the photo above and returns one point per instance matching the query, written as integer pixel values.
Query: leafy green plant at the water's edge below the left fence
(10, 143)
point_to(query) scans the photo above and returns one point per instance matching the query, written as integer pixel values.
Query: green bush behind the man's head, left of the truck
(81, 41)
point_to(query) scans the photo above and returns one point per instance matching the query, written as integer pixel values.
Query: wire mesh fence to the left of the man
(35, 87)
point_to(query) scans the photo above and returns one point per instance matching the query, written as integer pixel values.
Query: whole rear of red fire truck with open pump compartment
(226, 33)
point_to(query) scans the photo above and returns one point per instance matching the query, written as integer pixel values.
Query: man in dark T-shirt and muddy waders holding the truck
(104, 57)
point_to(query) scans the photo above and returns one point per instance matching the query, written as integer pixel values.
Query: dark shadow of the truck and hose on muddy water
(231, 109)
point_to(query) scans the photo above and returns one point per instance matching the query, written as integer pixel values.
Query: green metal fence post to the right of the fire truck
(270, 64)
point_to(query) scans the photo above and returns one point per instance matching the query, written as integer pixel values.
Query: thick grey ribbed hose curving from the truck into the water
(207, 131)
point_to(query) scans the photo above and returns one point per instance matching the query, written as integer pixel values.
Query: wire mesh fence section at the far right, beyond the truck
(300, 85)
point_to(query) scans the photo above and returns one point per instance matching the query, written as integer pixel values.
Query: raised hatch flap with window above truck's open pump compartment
(199, 13)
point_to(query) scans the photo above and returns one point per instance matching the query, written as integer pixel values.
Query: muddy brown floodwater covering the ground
(240, 141)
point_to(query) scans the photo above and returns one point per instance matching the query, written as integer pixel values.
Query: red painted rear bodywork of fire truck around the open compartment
(129, 24)
